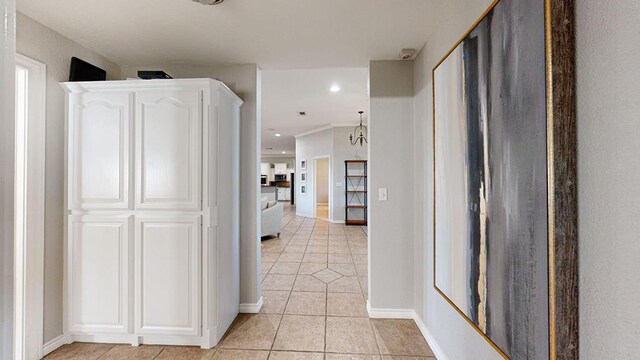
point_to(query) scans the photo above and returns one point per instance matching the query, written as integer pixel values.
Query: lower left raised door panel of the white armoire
(99, 274)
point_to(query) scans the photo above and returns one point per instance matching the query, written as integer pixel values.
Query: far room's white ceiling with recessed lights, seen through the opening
(287, 92)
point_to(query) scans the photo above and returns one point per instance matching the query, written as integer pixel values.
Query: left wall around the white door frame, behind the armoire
(45, 45)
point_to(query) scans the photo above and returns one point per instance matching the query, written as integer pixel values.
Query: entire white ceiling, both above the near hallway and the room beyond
(339, 36)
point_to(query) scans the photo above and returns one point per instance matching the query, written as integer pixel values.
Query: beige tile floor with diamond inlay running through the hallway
(314, 280)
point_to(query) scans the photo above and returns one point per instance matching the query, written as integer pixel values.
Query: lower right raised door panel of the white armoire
(168, 275)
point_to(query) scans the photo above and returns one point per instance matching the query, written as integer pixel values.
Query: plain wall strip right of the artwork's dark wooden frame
(608, 89)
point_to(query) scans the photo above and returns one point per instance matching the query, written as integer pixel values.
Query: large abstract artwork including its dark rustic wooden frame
(505, 213)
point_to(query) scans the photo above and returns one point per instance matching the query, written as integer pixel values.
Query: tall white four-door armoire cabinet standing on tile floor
(152, 252)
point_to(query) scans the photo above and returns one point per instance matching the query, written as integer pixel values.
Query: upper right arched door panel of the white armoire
(168, 150)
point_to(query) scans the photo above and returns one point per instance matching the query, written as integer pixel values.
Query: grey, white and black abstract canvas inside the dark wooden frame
(491, 179)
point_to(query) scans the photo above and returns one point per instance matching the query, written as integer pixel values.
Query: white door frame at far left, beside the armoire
(29, 249)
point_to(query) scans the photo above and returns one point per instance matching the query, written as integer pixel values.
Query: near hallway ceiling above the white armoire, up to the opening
(271, 33)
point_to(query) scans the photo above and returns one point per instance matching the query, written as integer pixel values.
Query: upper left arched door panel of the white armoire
(99, 151)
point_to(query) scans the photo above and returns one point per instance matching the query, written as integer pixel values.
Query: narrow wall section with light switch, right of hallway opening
(391, 237)
